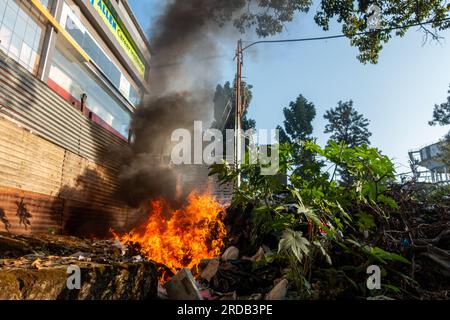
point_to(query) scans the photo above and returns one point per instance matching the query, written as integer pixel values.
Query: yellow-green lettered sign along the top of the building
(119, 33)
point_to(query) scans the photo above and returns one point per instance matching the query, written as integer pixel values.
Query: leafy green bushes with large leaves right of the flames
(319, 224)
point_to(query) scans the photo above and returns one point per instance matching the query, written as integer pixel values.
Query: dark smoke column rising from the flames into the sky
(182, 83)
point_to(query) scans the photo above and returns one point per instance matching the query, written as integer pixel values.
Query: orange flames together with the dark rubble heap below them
(188, 246)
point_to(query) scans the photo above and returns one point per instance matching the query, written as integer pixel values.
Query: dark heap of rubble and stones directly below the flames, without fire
(229, 277)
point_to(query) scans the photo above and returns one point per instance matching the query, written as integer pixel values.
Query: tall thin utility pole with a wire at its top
(238, 112)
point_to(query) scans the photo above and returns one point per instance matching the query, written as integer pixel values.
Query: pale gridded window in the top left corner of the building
(20, 34)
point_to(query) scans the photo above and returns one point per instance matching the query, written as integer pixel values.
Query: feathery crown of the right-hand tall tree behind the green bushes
(346, 125)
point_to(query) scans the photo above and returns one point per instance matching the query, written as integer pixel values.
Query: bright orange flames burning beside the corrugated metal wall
(180, 238)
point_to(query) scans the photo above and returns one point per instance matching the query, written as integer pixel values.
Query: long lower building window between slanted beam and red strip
(75, 79)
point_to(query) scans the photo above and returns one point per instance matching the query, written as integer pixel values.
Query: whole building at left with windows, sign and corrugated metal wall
(72, 73)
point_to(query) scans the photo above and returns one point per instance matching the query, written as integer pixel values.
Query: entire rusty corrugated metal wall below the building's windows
(58, 169)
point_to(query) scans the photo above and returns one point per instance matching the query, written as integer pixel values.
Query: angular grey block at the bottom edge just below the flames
(183, 287)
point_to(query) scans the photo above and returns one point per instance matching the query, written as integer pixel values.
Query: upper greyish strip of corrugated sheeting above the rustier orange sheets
(34, 105)
